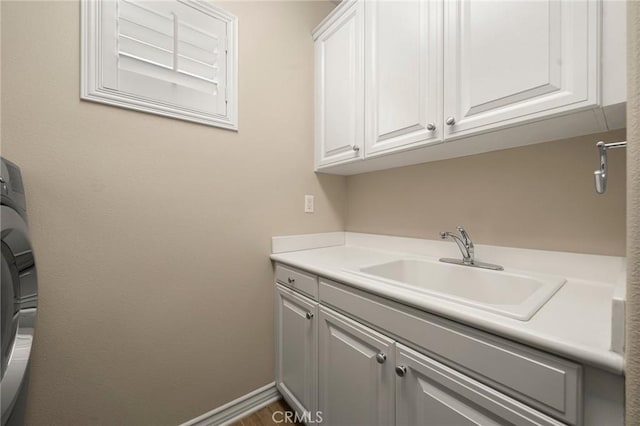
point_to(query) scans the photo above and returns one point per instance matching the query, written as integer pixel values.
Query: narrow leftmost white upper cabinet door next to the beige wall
(339, 60)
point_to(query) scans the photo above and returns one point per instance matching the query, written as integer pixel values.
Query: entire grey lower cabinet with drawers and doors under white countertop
(335, 370)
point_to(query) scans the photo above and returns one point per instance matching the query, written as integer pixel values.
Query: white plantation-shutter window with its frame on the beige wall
(178, 56)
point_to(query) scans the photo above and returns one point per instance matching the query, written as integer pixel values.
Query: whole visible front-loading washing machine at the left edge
(19, 297)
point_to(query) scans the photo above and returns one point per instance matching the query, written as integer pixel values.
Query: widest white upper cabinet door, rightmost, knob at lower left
(512, 61)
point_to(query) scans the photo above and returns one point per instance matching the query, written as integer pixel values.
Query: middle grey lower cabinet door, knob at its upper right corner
(356, 379)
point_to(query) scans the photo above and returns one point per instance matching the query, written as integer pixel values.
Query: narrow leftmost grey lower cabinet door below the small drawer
(297, 351)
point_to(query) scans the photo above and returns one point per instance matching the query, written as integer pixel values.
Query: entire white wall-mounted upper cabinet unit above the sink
(394, 79)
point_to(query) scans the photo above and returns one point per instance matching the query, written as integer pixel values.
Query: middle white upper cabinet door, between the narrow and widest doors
(403, 74)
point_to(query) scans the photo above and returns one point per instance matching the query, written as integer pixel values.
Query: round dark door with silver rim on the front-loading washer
(19, 300)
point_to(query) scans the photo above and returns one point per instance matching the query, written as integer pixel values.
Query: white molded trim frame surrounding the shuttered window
(91, 87)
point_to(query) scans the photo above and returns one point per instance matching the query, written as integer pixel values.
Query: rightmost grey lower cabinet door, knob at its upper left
(429, 393)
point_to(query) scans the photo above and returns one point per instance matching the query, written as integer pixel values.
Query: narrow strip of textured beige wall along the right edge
(633, 216)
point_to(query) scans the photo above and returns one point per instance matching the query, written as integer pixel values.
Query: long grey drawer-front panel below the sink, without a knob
(548, 383)
